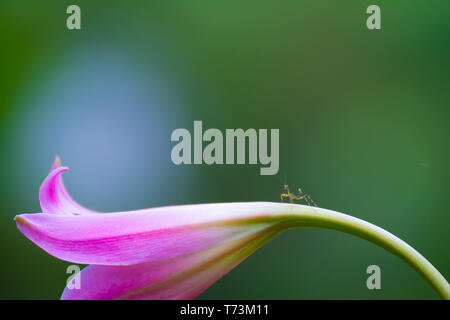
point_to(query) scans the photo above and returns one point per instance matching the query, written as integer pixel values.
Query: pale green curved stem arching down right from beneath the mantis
(305, 216)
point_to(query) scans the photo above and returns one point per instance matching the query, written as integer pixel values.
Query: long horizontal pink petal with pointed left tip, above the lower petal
(145, 235)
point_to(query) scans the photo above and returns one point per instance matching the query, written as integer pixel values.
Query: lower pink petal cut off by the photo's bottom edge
(180, 278)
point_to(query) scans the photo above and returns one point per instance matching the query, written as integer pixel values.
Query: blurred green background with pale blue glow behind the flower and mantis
(363, 118)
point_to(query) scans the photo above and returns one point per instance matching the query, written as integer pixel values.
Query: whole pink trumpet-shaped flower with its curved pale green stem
(177, 252)
